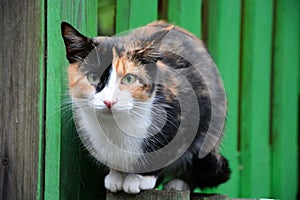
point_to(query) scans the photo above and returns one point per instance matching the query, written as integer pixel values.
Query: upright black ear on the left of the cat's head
(77, 45)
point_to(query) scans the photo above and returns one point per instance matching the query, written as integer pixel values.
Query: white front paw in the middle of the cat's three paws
(134, 183)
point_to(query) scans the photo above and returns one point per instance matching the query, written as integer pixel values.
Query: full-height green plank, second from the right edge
(255, 97)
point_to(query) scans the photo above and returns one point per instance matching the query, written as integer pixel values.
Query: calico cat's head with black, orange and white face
(110, 74)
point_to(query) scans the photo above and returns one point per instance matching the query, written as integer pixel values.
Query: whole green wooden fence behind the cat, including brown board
(255, 44)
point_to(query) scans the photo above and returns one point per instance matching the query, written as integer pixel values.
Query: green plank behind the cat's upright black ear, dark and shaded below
(88, 180)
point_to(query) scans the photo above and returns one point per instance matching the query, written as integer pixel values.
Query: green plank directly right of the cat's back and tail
(224, 45)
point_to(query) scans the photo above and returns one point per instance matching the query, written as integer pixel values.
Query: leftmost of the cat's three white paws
(114, 181)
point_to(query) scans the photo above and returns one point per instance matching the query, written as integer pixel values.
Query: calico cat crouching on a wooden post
(148, 104)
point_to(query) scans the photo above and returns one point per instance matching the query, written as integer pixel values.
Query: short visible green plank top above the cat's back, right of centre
(186, 14)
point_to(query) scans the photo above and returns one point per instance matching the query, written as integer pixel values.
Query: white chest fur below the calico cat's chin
(115, 142)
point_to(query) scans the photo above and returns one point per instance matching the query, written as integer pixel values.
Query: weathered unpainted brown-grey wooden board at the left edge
(21, 51)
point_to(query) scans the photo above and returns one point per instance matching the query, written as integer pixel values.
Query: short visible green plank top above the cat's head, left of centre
(135, 13)
